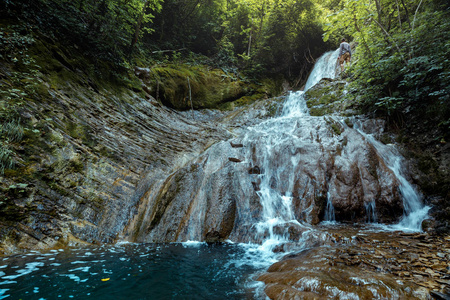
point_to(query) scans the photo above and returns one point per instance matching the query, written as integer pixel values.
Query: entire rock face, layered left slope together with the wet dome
(99, 164)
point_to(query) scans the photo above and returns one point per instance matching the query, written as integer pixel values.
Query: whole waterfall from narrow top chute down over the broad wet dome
(276, 178)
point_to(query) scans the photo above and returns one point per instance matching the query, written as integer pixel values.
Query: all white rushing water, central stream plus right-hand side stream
(273, 134)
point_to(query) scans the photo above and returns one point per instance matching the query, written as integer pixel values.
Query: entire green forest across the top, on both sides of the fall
(401, 57)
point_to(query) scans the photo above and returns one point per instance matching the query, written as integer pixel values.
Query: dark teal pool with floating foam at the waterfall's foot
(132, 271)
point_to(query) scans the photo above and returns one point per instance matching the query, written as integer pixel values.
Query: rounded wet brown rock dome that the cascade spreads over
(306, 160)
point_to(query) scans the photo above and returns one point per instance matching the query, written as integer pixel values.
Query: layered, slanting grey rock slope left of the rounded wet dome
(87, 158)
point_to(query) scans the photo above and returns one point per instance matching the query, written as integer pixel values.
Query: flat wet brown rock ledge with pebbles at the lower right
(358, 263)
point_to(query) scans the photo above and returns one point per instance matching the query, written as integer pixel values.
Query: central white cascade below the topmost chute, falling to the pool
(277, 218)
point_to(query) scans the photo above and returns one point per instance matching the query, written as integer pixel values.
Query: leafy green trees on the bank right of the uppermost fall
(402, 55)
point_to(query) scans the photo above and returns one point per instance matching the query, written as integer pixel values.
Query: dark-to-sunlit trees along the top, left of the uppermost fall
(263, 38)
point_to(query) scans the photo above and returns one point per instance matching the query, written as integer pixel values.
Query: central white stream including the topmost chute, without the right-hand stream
(278, 216)
